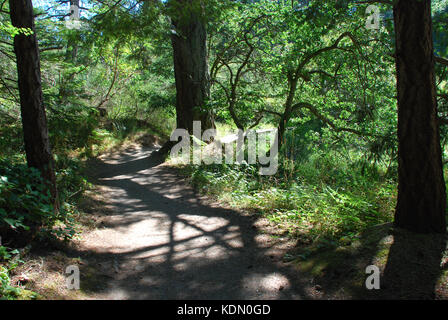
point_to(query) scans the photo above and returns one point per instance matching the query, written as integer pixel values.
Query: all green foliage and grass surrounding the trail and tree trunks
(337, 159)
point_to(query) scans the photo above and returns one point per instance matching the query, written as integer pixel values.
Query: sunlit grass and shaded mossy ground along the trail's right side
(340, 211)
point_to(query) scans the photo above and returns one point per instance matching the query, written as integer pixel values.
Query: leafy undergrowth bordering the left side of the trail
(26, 212)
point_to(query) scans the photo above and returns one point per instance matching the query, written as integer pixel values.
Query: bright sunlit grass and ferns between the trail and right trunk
(323, 196)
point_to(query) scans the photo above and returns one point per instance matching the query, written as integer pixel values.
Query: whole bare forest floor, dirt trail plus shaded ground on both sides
(148, 235)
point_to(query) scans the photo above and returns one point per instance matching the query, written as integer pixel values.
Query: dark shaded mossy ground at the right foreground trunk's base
(412, 266)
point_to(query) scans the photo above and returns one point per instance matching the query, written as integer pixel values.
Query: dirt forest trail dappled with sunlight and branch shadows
(161, 240)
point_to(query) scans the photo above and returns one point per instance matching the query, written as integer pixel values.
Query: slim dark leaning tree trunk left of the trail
(34, 121)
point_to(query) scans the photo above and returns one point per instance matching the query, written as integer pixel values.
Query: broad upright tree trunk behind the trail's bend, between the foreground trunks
(189, 41)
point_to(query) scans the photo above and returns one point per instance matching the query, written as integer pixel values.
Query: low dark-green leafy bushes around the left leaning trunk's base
(25, 205)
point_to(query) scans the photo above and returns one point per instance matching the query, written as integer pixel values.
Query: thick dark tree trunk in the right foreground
(421, 187)
